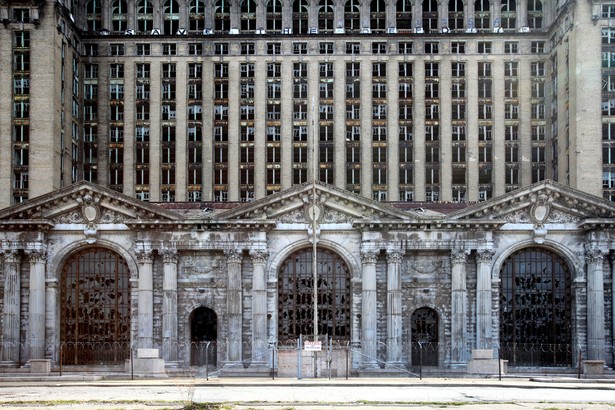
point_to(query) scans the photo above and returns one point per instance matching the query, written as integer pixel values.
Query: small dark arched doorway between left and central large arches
(203, 337)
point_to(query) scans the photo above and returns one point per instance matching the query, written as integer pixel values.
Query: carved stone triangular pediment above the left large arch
(86, 203)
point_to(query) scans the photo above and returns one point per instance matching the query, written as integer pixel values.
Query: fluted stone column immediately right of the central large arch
(368, 310)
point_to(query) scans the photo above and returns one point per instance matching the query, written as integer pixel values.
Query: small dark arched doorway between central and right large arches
(424, 337)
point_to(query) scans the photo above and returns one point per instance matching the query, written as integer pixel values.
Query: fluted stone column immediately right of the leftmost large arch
(145, 332)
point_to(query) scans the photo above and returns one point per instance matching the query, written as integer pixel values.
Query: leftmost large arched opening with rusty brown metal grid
(95, 308)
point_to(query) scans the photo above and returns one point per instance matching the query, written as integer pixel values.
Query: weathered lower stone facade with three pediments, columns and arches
(90, 274)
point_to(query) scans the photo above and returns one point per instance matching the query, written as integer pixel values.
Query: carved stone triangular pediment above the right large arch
(541, 203)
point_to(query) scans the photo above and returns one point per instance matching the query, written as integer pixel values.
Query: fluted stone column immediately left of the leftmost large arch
(36, 317)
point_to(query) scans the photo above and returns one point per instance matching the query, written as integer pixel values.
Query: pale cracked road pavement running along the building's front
(309, 394)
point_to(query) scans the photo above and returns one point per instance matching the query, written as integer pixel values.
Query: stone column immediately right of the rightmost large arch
(595, 303)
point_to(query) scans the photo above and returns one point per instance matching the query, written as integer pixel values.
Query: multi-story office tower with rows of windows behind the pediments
(418, 100)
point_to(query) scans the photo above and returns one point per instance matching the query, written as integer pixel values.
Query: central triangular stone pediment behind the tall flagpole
(334, 205)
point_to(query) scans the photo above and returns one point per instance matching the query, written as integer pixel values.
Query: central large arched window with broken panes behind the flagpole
(296, 292)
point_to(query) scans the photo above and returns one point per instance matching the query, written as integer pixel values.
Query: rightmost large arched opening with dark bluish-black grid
(535, 309)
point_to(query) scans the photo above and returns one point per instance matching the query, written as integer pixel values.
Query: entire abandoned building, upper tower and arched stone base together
(170, 170)
